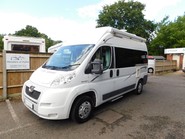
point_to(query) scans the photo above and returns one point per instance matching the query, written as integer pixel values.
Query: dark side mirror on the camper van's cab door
(97, 67)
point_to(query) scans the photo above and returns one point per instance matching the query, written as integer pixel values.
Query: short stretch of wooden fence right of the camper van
(165, 65)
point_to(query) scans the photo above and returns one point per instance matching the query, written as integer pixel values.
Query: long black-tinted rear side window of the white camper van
(129, 57)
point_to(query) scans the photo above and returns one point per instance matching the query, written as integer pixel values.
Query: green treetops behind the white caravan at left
(33, 32)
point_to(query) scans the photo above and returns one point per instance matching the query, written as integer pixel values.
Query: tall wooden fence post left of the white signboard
(4, 76)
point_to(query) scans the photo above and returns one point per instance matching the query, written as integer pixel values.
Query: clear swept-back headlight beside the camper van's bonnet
(63, 80)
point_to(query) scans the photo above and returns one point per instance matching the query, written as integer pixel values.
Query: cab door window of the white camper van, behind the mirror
(105, 55)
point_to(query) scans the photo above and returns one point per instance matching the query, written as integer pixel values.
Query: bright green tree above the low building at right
(169, 35)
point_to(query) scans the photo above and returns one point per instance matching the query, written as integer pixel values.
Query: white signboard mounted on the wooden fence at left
(17, 61)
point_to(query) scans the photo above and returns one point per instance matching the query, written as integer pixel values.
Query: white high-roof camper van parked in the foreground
(82, 75)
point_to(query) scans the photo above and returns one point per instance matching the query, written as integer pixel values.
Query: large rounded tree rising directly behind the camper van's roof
(126, 15)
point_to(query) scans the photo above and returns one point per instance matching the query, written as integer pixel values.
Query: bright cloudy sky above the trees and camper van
(61, 19)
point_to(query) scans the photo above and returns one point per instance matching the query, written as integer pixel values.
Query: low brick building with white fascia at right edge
(177, 54)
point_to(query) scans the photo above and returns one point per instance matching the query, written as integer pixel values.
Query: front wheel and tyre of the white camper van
(82, 109)
